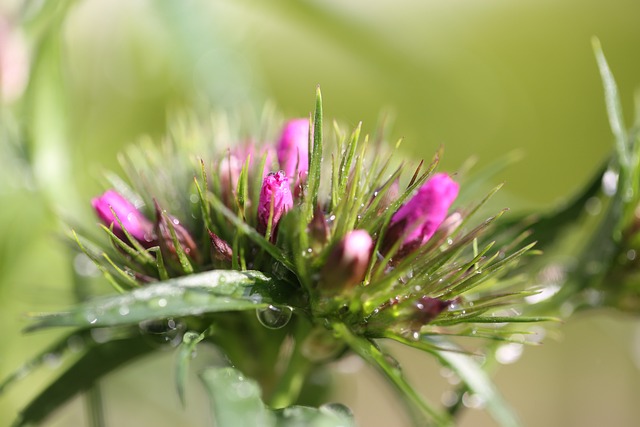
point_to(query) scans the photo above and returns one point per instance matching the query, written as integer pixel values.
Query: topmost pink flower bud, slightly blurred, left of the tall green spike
(293, 148)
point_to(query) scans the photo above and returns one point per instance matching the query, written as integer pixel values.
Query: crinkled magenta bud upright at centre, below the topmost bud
(275, 196)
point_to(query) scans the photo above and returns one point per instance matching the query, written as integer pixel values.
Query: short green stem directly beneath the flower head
(290, 384)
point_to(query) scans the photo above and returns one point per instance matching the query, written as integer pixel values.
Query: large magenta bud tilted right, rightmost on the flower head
(418, 219)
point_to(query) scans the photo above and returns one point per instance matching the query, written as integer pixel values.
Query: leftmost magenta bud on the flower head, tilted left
(111, 205)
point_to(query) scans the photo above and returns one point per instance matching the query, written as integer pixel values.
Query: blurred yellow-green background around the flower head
(481, 77)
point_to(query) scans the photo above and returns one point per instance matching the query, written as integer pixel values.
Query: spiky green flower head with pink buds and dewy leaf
(329, 284)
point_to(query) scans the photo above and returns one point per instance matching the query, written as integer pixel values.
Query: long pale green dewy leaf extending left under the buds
(212, 291)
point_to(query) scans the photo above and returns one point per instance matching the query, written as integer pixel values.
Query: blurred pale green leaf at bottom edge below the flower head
(235, 401)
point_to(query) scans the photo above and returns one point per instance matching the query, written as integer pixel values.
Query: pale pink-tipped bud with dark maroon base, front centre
(347, 264)
